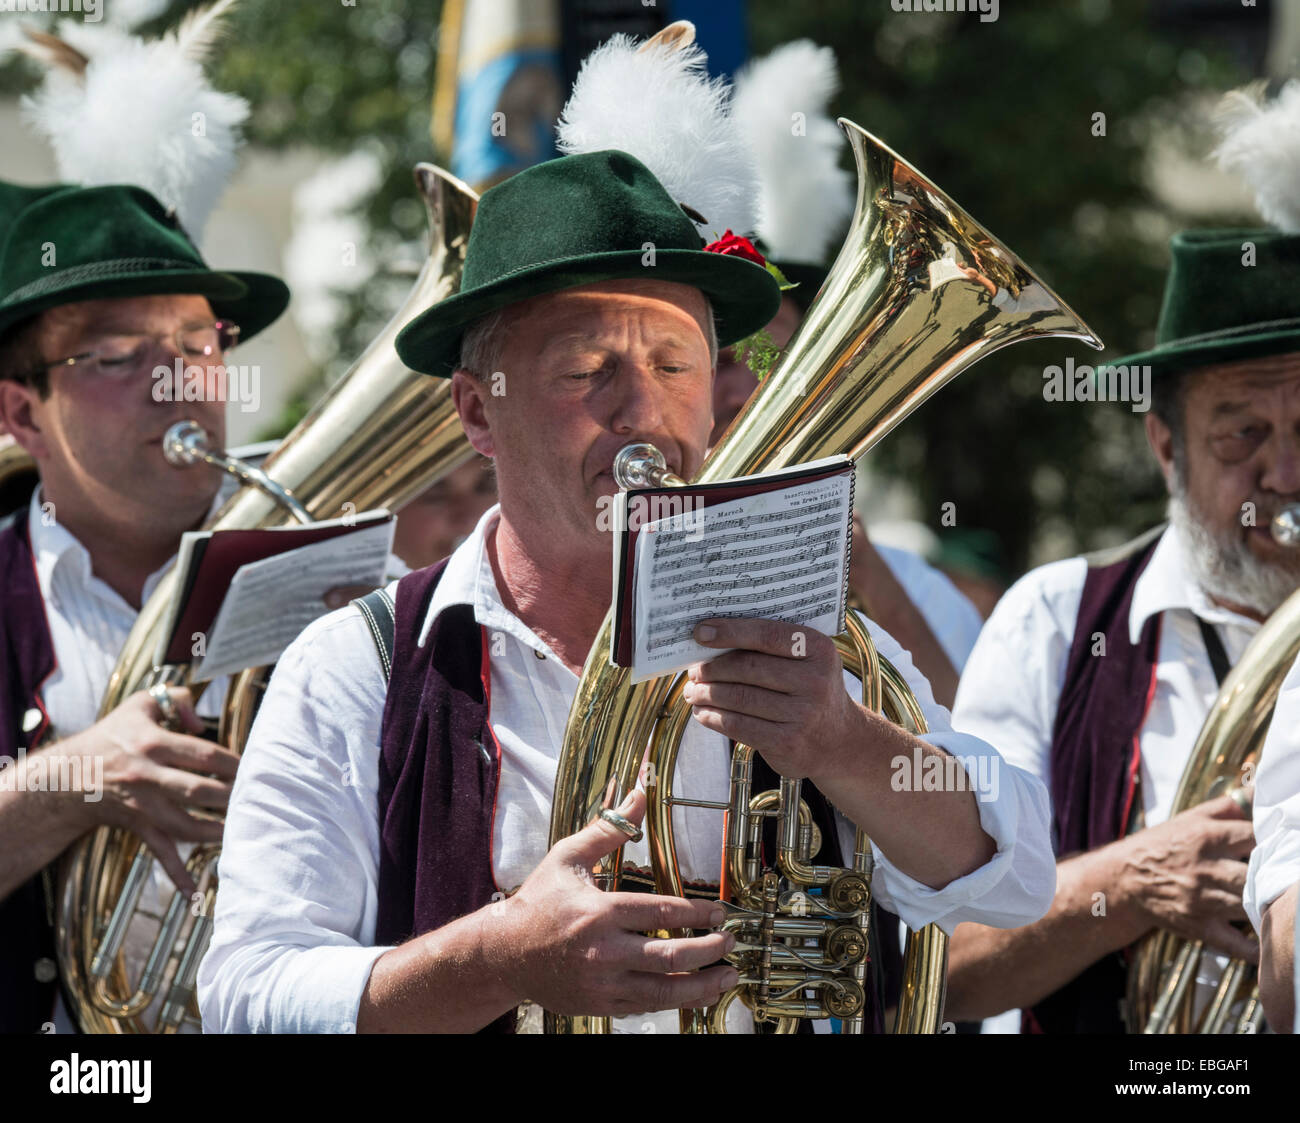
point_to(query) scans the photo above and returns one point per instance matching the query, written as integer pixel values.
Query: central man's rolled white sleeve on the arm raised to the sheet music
(1017, 884)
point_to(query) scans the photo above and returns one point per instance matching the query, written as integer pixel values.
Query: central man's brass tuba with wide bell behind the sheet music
(918, 293)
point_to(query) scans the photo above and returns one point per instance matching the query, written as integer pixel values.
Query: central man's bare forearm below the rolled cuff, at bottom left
(445, 982)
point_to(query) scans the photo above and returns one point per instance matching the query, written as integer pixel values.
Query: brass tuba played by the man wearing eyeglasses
(382, 436)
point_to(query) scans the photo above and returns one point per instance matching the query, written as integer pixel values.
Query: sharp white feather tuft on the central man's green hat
(660, 106)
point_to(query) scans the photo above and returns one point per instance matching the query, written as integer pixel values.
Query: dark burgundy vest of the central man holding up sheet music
(439, 770)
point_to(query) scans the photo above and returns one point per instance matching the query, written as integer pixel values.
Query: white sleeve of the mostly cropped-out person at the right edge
(1276, 860)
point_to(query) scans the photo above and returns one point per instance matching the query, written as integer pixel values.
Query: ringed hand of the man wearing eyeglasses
(154, 777)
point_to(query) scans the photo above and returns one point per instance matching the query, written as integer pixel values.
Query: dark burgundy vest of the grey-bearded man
(1095, 761)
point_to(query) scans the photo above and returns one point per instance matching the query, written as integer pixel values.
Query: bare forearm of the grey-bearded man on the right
(991, 970)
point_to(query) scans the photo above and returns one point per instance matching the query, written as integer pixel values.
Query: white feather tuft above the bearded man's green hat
(1262, 144)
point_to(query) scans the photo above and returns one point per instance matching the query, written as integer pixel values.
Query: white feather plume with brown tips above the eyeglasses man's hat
(120, 110)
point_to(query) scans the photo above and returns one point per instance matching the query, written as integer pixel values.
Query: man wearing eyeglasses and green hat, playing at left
(99, 288)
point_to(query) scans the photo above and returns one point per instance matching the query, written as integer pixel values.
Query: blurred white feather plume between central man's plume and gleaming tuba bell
(805, 198)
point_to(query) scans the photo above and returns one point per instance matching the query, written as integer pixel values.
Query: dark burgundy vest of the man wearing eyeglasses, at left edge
(27, 661)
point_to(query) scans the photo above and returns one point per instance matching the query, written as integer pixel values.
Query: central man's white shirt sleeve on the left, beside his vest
(297, 901)
